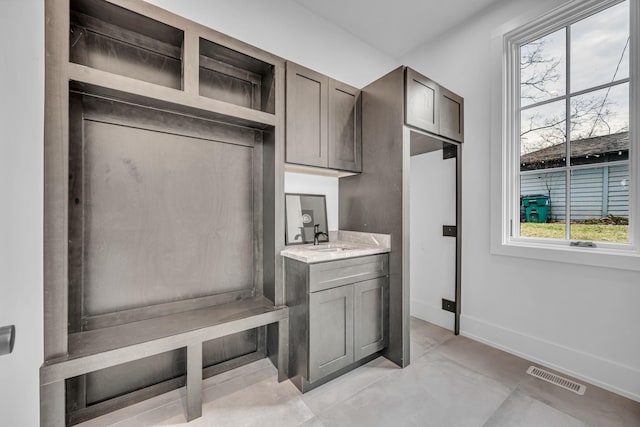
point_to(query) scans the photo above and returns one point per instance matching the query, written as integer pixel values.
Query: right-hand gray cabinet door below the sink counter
(370, 314)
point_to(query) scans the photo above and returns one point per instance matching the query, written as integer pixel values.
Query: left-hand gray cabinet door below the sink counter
(330, 331)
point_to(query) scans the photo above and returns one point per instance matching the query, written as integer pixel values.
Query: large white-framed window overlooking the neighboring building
(569, 118)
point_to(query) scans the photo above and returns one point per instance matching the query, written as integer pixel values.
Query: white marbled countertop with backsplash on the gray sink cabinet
(342, 244)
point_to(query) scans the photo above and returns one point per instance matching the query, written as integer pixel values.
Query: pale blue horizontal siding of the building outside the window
(595, 192)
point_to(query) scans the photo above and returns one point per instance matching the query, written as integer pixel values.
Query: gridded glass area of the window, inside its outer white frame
(596, 114)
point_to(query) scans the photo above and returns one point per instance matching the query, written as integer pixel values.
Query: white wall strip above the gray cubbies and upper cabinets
(287, 29)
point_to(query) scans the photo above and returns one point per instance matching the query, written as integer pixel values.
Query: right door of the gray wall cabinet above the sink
(345, 137)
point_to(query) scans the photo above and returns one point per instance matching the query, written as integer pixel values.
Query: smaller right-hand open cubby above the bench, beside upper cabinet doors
(231, 76)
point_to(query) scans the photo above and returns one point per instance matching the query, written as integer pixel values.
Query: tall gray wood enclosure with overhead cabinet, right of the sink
(401, 116)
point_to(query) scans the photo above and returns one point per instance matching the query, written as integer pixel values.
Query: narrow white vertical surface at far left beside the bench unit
(21, 186)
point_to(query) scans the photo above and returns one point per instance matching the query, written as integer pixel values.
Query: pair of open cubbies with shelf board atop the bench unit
(123, 53)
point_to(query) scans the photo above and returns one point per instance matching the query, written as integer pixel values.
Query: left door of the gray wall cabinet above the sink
(306, 122)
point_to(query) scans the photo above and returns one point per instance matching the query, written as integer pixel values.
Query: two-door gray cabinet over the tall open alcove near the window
(433, 108)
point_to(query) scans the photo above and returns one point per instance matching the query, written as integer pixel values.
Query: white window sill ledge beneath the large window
(626, 259)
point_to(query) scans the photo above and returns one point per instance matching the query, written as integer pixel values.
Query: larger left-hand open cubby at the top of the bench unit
(113, 39)
